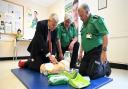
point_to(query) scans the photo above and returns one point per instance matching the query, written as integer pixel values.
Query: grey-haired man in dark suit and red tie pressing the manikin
(43, 44)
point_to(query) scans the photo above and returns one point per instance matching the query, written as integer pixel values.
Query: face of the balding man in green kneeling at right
(83, 14)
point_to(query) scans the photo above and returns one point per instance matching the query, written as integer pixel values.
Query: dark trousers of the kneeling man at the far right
(91, 64)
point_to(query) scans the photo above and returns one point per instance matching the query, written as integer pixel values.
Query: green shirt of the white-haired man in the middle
(66, 35)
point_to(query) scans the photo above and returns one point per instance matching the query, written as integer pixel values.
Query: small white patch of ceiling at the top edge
(45, 3)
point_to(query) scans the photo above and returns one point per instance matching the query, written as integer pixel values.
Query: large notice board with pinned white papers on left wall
(12, 17)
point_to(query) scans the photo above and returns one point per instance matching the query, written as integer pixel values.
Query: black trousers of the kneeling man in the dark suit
(35, 63)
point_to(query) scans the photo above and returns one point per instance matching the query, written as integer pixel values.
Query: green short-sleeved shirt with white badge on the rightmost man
(92, 33)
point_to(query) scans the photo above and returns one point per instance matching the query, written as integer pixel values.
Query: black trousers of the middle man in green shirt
(74, 54)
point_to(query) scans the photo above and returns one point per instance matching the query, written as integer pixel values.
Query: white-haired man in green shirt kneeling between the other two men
(67, 40)
